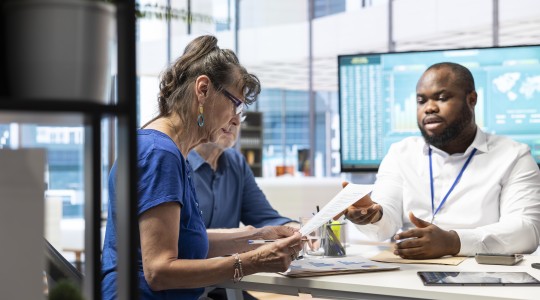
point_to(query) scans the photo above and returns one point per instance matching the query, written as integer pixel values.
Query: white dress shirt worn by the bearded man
(494, 208)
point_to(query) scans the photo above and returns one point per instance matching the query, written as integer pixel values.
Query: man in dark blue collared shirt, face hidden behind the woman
(226, 187)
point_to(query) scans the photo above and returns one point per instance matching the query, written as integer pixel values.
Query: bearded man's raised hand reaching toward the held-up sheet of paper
(363, 211)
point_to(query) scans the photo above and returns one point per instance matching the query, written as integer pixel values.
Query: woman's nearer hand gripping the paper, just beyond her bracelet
(275, 256)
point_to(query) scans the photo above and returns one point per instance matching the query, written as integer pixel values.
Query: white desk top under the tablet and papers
(400, 284)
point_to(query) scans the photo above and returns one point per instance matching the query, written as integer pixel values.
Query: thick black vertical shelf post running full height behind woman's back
(127, 284)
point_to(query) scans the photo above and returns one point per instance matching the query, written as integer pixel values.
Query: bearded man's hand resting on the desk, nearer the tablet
(426, 241)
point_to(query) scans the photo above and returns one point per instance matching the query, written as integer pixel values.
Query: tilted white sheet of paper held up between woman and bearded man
(346, 197)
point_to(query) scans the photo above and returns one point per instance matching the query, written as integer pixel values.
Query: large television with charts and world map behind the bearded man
(377, 98)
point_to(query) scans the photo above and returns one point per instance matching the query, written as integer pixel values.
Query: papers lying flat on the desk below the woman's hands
(335, 265)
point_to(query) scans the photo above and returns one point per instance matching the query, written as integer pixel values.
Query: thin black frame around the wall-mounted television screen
(370, 168)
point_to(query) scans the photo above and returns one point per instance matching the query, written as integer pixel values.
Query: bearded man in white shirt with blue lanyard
(461, 190)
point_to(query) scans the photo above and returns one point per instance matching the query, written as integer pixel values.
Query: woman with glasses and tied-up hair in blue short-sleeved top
(201, 95)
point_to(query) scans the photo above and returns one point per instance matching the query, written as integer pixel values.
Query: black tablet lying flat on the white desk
(478, 278)
